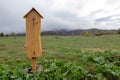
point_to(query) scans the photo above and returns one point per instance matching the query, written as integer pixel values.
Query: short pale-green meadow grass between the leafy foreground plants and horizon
(58, 47)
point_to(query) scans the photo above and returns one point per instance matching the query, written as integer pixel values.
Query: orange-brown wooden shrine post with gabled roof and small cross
(33, 38)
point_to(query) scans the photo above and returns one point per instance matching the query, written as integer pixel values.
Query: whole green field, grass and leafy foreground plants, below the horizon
(64, 58)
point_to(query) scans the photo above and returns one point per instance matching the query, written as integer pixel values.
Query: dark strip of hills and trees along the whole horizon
(90, 32)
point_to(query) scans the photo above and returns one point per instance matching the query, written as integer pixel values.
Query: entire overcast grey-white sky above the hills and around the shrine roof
(61, 14)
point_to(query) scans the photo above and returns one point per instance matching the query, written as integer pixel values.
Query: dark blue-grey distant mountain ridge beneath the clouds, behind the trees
(68, 32)
